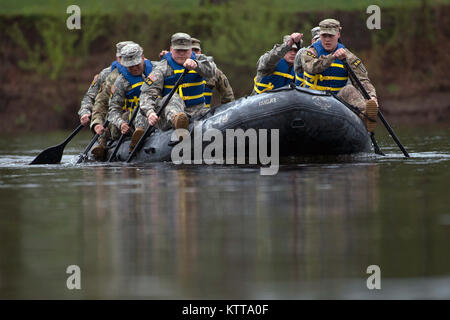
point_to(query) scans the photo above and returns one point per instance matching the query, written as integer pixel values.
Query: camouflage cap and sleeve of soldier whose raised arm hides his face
(268, 62)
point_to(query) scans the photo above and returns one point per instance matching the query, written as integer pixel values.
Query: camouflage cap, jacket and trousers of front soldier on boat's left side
(152, 89)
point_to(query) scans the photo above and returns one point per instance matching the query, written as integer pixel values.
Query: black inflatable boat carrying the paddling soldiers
(309, 122)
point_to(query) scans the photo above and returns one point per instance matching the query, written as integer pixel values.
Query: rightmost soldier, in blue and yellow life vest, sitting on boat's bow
(324, 70)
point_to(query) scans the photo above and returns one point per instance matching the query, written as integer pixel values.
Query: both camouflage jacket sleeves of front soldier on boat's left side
(149, 93)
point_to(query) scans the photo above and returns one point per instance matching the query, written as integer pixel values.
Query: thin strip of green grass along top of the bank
(43, 7)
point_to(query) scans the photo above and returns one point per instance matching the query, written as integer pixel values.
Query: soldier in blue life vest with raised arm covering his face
(275, 68)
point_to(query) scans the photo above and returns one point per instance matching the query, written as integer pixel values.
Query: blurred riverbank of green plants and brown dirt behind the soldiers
(46, 69)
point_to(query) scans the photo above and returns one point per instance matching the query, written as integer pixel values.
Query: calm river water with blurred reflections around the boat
(162, 231)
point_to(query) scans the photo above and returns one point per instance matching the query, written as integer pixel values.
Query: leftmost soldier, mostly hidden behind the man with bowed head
(87, 102)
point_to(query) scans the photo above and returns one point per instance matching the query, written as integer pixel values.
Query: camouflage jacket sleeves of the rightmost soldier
(314, 65)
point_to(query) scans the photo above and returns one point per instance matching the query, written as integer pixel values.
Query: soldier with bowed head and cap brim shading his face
(127, 89)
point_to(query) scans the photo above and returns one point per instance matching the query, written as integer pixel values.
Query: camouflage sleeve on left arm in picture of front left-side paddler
(153, 88)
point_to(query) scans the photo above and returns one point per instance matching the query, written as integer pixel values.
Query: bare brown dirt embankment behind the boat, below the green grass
(407, 61)
